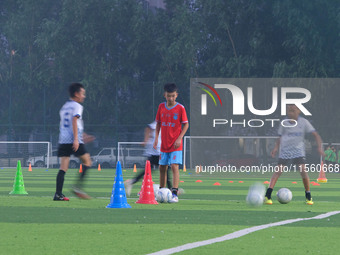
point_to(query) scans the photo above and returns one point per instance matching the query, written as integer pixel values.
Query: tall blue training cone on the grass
(118, 197)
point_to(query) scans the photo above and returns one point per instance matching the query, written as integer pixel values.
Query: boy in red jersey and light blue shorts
(170, 118)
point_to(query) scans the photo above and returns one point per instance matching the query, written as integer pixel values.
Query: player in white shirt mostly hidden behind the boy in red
(151, 153)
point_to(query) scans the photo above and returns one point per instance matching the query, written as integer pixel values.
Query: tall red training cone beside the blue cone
(147, 195)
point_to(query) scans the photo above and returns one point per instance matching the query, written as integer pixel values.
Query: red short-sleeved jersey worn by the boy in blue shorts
(171, 120)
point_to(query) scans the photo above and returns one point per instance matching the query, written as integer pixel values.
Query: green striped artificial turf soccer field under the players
(34, 224)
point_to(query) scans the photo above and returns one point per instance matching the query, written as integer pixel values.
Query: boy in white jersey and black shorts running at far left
(71, 141)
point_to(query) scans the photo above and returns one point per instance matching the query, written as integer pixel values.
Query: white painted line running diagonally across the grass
(238, 234)
